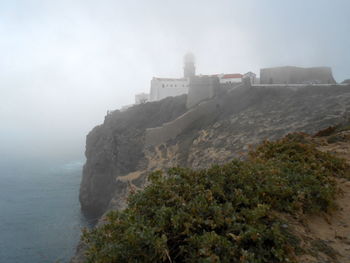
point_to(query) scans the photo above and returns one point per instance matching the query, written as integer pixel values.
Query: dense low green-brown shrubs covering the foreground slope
(227, 213)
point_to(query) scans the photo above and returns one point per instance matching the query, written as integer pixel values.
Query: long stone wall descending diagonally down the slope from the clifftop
(235, 100)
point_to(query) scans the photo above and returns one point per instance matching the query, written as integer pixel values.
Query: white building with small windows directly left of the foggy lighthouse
(168, 87)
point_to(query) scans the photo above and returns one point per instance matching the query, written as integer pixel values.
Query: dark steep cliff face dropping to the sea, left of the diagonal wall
(115, 149)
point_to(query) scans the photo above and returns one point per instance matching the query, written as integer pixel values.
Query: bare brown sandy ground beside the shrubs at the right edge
(326, 237)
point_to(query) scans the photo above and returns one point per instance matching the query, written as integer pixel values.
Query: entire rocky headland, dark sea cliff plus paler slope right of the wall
(118, 159)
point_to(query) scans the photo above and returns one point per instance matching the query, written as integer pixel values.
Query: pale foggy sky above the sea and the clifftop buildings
(63, 64)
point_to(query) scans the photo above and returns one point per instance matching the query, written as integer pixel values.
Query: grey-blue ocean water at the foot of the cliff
(40, 218)
